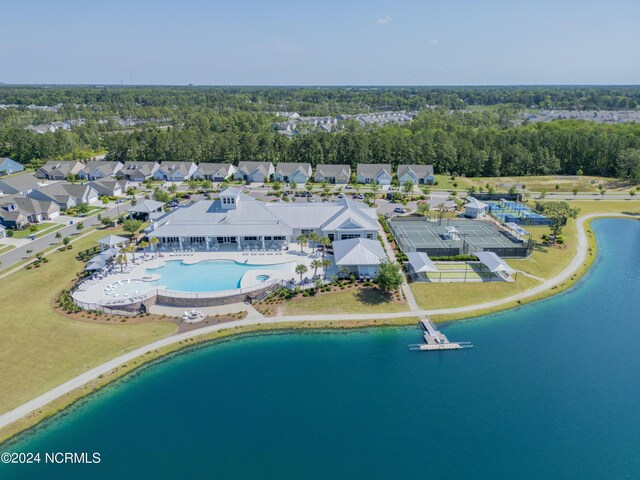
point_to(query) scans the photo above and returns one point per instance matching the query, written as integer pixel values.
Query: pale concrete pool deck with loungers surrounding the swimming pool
(94, 291)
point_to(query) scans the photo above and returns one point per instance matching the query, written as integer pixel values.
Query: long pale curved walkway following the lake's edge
(90, 375)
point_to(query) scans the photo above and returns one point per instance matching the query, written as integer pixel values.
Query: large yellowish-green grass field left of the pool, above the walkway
(40, 348)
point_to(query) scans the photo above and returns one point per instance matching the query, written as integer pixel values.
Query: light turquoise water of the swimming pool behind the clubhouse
(206, 276)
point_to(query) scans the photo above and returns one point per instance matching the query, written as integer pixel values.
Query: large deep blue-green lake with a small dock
(550, 391)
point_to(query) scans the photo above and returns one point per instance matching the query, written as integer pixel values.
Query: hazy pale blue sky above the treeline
(347, 42)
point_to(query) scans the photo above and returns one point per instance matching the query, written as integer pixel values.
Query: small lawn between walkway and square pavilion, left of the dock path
(366, 300)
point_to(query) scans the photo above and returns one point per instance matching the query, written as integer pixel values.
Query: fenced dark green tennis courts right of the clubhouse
(454, 237)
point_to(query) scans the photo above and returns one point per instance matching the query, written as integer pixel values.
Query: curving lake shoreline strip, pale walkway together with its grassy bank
(58, 399)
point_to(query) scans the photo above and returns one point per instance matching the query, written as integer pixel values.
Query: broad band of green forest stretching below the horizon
(216, 124)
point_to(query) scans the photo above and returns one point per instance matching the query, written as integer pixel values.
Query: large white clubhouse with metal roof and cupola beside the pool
(240, 222)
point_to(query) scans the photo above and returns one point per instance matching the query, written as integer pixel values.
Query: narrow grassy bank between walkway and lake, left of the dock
(65, 401)
